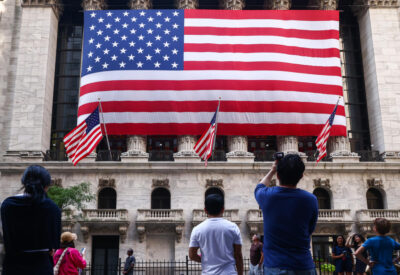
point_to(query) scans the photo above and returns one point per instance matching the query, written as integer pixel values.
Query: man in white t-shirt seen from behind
(219, 241)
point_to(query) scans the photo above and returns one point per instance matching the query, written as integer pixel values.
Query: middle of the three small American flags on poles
(205, 145)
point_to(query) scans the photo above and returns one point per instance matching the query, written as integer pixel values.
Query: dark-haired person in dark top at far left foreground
(31, 226)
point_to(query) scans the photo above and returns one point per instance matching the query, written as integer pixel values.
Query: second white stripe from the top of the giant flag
(262, 39)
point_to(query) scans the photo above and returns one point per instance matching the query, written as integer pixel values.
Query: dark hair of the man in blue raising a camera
(290, 169)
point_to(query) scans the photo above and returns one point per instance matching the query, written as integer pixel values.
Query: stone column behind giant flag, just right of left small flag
(136, 145)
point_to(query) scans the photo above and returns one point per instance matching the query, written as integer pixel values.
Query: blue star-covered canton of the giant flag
(133, 40)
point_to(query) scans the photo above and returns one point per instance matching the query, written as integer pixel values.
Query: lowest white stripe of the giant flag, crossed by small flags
(223, 117)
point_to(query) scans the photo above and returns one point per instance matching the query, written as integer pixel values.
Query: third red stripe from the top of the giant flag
(261, 48)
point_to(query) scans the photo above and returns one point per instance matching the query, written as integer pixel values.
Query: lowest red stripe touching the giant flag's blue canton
(265, 66)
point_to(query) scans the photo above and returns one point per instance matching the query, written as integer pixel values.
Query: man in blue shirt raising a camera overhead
(290, 215)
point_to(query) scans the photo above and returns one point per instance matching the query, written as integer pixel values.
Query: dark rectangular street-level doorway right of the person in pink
(105, 255)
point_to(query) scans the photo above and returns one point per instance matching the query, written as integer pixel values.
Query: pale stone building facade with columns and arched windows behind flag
(150, 199)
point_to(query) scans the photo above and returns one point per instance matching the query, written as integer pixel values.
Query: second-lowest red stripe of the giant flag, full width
(209, 106)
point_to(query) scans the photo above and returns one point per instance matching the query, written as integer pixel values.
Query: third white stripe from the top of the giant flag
(263, 57)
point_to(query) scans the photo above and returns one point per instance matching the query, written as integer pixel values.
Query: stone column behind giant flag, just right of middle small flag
(237, 145)
